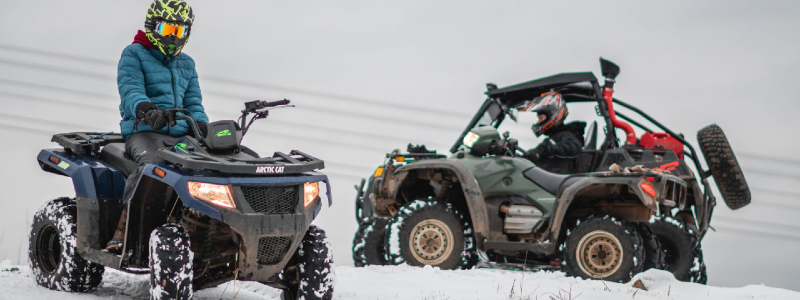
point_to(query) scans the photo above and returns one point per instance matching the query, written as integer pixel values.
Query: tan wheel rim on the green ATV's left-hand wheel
(431, 242)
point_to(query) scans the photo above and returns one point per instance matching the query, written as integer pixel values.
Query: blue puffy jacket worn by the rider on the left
(168, 82)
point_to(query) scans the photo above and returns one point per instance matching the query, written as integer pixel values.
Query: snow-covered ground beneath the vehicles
(403, 282)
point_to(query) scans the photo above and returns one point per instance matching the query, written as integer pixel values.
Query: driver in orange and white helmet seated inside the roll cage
(565, 140)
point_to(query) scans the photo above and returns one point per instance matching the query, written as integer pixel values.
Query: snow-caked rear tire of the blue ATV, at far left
(53, 254)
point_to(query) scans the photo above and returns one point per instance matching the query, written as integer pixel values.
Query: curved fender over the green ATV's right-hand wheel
(567, 195)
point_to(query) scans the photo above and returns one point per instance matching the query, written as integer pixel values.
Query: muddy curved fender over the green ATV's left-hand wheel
(472, 192)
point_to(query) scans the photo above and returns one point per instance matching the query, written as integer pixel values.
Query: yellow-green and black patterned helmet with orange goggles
(167, 25)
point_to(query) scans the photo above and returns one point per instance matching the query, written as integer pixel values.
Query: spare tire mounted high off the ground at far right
(724, 166)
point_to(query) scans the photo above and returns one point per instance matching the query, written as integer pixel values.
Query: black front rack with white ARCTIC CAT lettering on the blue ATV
(280, 163)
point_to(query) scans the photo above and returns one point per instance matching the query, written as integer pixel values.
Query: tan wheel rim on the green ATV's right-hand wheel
(599, 254)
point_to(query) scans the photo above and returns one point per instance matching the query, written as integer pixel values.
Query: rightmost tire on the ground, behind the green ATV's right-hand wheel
(682, 254)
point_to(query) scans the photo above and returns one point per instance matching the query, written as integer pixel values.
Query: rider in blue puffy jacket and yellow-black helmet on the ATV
(153, 75)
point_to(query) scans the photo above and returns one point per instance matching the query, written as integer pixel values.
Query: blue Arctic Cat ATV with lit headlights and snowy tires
(215, 212)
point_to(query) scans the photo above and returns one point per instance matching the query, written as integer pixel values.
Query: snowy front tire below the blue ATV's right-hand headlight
(309, 275)
